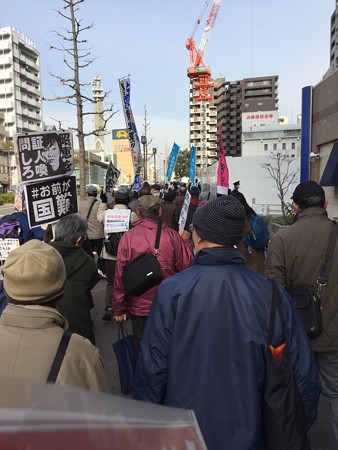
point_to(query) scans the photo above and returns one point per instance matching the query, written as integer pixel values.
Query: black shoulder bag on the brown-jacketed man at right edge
(307, 300)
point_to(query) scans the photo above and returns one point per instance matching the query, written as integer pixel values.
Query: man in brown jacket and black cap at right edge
(294, 259)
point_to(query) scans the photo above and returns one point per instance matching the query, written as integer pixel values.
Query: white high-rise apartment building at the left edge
(20, 89)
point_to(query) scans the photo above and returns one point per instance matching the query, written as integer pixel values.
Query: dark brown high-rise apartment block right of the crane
(232, 98)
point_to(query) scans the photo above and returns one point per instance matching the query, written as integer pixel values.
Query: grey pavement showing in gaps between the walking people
(321, 434)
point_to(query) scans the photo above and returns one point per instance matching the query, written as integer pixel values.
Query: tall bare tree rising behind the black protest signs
(76, 57)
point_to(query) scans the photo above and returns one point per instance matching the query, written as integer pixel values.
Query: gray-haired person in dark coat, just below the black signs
(82, 275)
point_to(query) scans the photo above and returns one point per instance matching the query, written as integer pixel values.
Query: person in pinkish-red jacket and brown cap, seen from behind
(174, 255)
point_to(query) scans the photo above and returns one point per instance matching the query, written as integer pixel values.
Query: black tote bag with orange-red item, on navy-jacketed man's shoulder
(283, 413)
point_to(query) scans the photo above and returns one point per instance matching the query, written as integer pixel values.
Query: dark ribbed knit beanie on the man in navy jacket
(221, 221)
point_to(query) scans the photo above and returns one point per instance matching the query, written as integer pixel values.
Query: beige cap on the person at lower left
(34, 273)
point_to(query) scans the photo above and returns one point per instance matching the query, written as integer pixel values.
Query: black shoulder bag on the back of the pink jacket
(143, 272)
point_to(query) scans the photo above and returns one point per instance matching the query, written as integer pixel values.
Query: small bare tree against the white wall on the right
(280, 170)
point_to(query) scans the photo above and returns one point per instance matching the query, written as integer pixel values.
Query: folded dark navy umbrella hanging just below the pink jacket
(126, 355)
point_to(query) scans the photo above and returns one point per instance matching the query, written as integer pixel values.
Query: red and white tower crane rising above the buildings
(200, 77)
